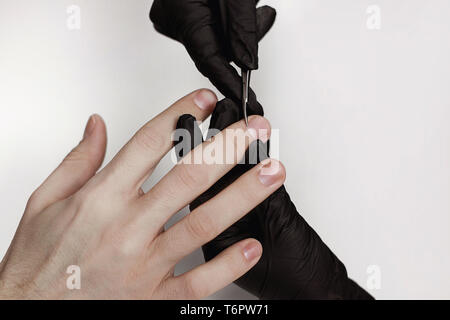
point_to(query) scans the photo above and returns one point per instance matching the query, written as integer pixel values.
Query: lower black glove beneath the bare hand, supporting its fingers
(295, 264)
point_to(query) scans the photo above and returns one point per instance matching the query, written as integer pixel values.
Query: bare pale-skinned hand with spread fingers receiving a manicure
(104, 223)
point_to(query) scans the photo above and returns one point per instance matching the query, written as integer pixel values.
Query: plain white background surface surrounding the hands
(363, 116)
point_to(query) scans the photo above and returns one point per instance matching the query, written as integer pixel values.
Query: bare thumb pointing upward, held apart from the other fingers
(79, 166)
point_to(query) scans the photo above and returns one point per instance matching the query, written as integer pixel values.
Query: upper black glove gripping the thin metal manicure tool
(198, 25)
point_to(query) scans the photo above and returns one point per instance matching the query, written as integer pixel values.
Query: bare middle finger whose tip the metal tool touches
(188, 180)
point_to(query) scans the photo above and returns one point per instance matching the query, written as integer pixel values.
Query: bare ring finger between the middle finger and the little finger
(216, 215)
